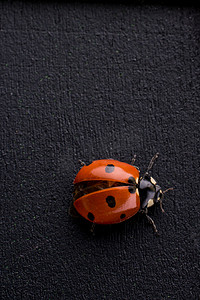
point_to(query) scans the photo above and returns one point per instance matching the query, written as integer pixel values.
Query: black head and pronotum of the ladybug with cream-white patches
(150, 192)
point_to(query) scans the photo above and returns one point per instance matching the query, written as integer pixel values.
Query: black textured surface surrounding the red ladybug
(88, 81)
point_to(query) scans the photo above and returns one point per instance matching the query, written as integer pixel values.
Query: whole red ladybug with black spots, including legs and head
(109, 191)
